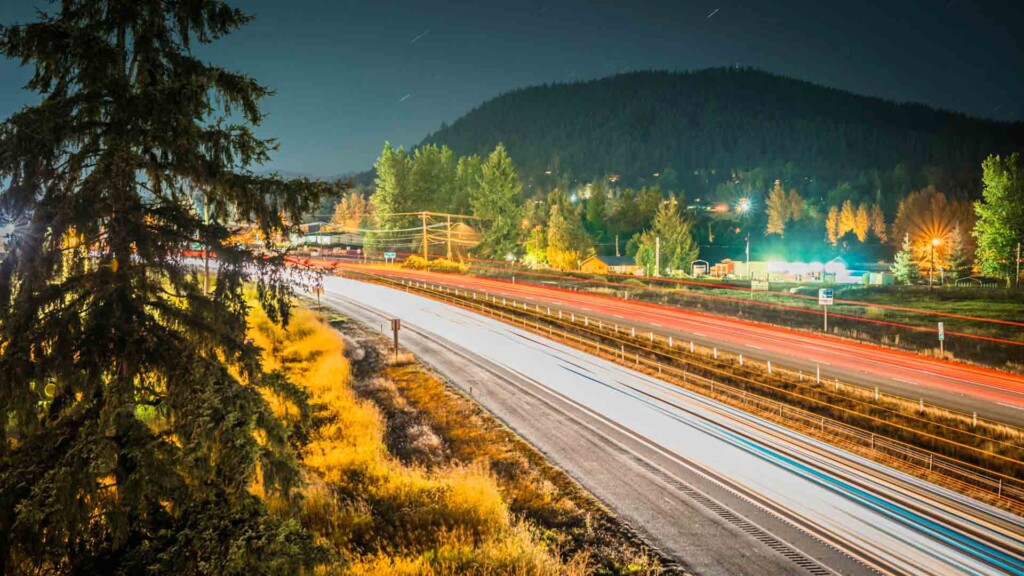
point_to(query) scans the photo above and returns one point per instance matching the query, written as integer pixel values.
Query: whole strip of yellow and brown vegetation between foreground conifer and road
(436, 504)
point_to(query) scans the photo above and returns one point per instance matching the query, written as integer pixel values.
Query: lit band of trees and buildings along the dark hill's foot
(561, 227)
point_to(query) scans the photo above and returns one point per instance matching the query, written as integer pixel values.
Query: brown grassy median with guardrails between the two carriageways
(1001, 489)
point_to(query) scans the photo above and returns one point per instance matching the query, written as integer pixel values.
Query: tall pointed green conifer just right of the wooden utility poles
(497, 202)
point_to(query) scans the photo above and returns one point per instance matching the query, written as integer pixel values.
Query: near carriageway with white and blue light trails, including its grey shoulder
(720, 490)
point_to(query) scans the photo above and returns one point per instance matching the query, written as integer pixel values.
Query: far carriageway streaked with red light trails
(994, 395)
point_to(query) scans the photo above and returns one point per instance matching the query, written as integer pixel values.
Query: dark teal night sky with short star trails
(352, 74)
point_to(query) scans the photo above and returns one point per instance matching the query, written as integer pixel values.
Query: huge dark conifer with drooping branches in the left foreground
(103, 322)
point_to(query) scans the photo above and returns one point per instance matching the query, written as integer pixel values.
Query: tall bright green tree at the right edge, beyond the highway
(1000, 229)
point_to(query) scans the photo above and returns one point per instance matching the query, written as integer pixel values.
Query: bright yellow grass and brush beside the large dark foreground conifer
(364, 504)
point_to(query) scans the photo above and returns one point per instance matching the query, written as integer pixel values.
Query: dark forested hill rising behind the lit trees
(710, 125)
